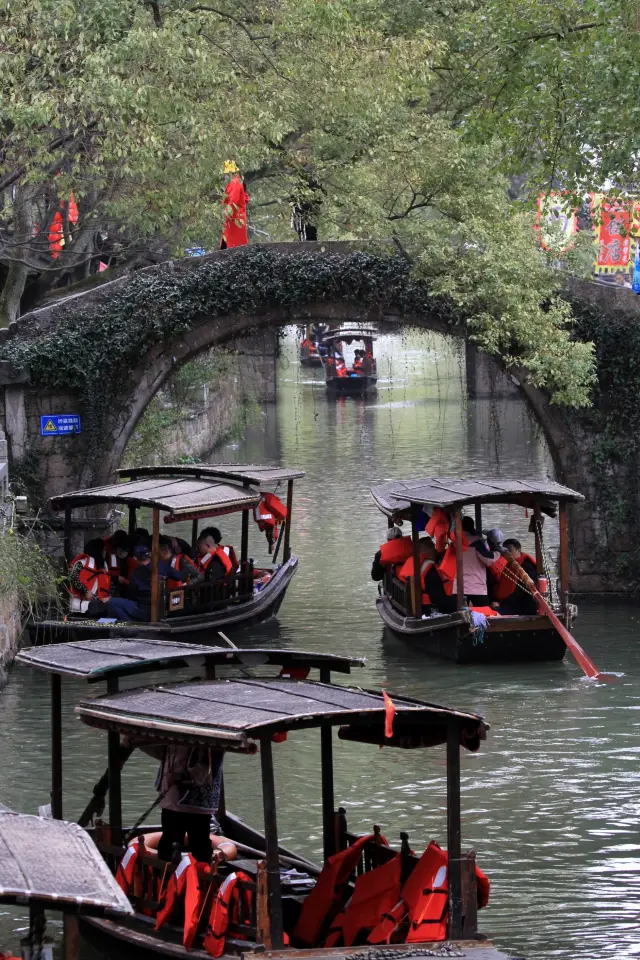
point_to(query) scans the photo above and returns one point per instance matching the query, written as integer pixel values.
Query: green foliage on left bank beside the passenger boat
(27, 576)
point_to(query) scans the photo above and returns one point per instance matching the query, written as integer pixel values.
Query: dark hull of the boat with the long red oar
(450, 637)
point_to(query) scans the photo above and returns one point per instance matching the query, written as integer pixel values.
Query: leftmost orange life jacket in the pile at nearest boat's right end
(327, 897)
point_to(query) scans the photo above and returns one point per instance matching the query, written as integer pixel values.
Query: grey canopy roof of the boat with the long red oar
(398, 495)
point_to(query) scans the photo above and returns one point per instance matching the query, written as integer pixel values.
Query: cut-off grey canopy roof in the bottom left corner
(56, 864)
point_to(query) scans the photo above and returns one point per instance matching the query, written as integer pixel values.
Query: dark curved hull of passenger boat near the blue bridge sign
(197, 629)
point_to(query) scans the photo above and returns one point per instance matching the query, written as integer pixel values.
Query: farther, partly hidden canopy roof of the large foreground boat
(95, 660)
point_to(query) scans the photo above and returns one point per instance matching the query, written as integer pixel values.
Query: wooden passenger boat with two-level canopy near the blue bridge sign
(190, 492)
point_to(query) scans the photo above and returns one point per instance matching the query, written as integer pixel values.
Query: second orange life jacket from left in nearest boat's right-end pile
(375, 894)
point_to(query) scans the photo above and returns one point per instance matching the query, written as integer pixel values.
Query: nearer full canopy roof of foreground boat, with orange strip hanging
(230, 714)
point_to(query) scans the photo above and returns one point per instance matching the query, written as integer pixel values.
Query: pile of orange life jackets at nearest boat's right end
(381, 908)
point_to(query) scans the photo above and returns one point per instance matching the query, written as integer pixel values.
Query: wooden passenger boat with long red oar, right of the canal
(455, 636)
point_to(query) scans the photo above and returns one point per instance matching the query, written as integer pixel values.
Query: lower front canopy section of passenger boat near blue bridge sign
(179, 495)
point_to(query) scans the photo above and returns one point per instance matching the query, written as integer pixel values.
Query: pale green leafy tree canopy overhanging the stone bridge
(380, 118)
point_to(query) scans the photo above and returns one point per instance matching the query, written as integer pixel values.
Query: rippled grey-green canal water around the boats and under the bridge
(551, 801)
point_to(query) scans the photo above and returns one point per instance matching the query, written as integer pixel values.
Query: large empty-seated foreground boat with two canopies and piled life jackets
(278, 890)
